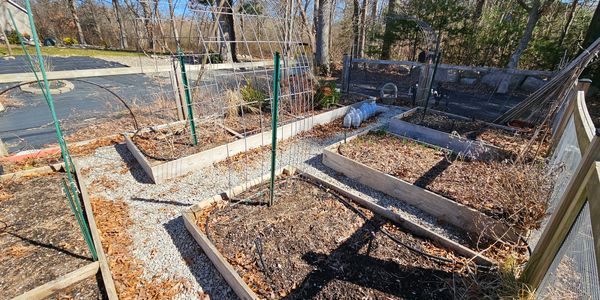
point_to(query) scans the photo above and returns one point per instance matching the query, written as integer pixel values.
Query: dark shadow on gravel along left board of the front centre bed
(197, 262)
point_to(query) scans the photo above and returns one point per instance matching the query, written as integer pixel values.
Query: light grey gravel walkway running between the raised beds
(160, 239)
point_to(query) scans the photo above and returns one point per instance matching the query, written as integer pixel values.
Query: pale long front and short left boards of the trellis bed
(159, 171)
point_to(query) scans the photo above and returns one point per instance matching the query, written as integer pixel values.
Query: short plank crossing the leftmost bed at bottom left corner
(60, 283)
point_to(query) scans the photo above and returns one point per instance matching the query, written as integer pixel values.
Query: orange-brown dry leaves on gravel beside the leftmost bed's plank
(112, 218)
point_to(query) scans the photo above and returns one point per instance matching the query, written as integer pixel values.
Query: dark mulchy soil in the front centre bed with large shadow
(310, 244)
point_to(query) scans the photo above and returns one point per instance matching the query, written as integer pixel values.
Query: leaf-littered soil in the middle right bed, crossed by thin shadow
(514, 193)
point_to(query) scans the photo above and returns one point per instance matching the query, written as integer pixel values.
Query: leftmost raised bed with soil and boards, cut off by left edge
(49, 243)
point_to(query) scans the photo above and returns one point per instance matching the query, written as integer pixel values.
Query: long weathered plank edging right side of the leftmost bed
(109, 284)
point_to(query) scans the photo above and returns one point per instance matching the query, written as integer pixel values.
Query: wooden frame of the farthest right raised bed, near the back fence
(474, 149)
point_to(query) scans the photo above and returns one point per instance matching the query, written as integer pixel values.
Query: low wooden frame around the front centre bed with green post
(233, 278)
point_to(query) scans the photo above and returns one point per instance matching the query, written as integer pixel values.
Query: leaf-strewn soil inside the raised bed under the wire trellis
(176, 142)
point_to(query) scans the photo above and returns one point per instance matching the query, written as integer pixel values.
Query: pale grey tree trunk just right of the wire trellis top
(322, 38)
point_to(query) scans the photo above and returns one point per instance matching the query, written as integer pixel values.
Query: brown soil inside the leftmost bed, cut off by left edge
(39, 238)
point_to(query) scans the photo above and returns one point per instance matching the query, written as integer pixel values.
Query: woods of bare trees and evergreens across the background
(526, 34)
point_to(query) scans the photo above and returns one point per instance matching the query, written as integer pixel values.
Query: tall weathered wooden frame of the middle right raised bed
(446, 210)
